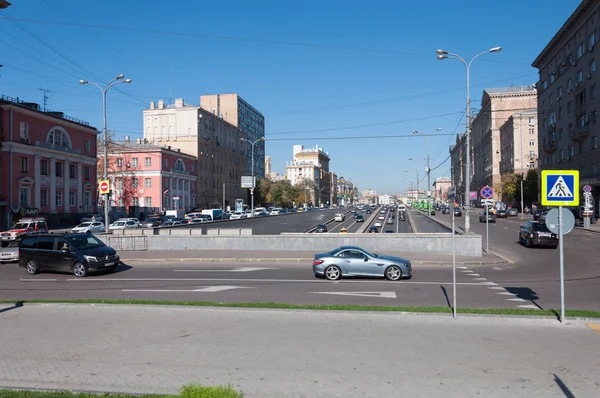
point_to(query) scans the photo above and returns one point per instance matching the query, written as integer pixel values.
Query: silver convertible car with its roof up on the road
(355, 261)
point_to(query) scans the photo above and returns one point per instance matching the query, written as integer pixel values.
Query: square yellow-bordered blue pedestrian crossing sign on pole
(560, 187)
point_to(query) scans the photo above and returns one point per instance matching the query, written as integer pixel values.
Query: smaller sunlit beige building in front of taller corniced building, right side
(519, 143)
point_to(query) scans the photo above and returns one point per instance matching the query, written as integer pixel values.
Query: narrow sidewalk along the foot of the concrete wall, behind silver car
(162, 256)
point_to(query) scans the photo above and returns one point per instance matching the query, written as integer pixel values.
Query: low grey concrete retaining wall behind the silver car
(466, 245)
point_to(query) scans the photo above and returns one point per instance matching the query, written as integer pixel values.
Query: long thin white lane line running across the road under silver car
(241, 280)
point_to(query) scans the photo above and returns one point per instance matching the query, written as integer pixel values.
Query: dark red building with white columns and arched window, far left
(47, 164)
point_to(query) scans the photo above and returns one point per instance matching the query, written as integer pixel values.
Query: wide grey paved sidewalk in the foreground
(275, 353)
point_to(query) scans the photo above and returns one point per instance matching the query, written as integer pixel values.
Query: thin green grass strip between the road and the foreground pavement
(324, 307)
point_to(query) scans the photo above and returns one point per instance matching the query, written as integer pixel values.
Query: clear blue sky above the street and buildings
(318, 70)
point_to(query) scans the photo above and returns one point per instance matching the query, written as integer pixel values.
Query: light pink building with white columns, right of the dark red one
(150, 176)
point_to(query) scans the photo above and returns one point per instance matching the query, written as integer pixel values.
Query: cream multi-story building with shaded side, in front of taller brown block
(215, 142)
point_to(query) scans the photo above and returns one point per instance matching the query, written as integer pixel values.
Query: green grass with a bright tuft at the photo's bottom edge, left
(188, 391)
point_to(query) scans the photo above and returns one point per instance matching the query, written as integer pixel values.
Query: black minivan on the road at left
(76, 253)
